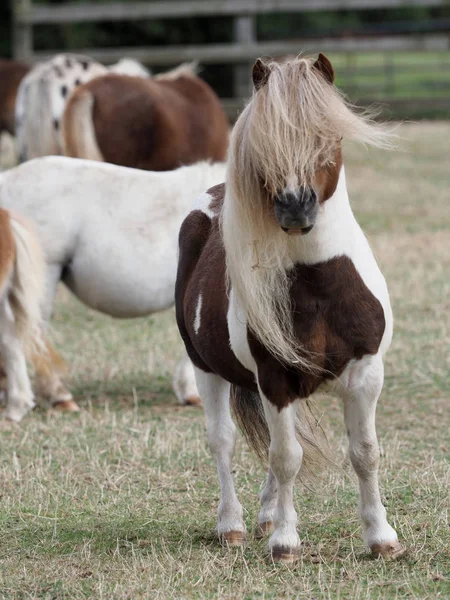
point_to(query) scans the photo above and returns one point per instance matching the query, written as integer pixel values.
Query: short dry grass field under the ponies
(119, 501)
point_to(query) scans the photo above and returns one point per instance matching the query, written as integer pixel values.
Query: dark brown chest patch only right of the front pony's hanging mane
(335, 315)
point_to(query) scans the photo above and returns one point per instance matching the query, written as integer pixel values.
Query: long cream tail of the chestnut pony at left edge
(27, 288)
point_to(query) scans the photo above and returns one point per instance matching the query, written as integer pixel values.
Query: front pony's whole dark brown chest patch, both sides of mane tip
(336, 318)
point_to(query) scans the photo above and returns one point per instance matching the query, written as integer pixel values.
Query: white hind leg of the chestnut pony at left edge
(20, 396)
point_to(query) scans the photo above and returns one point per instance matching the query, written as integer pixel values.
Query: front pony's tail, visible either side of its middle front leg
(250, 417)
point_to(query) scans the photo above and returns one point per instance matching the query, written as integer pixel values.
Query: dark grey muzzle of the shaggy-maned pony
(296, 212)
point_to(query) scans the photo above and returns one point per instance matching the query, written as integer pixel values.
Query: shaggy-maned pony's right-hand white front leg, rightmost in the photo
(363, 382)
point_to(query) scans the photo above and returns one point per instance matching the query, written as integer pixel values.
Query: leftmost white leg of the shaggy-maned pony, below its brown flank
(215, 394)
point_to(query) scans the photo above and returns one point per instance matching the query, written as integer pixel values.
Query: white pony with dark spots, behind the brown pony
(43, 94)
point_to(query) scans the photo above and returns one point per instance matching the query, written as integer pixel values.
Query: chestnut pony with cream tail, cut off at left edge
(21, 293)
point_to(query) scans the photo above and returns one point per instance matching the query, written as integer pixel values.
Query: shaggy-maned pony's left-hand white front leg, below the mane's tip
(285, 459)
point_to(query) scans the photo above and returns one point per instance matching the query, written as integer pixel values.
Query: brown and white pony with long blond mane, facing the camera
(278, 294)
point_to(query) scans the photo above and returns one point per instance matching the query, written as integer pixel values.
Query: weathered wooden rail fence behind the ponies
(241, 52)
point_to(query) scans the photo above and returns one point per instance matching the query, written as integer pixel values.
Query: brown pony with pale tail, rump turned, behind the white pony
(157, 124)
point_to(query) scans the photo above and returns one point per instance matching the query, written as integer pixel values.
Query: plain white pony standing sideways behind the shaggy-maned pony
(110, 234)
